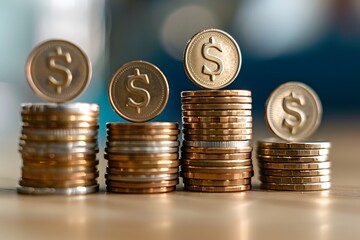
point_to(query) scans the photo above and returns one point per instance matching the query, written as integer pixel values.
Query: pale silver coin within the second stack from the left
(141, 149)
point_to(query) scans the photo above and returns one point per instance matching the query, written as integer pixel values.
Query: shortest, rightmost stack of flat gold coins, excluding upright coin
(294, 166)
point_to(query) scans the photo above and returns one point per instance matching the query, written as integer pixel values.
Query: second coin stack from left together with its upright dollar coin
(142, 157)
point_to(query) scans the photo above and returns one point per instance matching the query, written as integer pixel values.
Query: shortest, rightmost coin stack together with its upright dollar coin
(293, 113)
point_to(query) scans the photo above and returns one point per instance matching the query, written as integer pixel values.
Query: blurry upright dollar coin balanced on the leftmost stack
(58, 70)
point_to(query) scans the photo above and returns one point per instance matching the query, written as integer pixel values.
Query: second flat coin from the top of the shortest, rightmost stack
(293, 152)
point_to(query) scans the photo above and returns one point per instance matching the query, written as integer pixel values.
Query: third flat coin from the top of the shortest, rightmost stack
(266, 158)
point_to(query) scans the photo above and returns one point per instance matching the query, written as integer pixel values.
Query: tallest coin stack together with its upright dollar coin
(217, 124)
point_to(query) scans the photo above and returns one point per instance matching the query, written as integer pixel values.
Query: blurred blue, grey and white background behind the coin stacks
(312, 41)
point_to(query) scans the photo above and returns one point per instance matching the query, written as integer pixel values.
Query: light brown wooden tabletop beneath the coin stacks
(256, 214)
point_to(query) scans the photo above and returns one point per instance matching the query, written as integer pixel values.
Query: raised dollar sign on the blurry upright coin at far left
(67, 76)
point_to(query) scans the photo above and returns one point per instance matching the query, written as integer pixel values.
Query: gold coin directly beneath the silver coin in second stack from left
(142, 157)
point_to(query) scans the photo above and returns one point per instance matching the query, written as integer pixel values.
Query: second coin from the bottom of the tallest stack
(217, 183)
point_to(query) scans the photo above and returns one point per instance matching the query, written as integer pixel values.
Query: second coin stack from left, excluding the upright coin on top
(142, 157)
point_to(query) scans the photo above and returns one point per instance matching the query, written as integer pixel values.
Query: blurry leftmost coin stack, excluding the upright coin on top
(58, 145)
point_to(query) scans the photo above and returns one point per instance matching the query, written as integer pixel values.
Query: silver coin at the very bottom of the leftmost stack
(58, 191)
